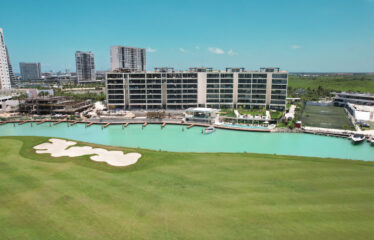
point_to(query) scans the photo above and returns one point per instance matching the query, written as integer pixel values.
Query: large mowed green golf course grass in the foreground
(182, 196)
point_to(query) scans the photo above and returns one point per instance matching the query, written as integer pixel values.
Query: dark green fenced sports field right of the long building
(326, 117)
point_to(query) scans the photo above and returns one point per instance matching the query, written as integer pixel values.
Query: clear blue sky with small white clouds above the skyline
(296, 35)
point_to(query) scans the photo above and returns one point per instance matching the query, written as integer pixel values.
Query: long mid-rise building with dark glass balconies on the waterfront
(198, 87)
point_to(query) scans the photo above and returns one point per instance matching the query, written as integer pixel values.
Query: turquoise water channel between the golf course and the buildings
(172, 138)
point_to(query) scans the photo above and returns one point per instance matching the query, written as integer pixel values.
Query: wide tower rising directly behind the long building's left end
(128, 58)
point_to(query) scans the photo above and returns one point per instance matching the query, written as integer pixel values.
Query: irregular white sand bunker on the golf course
(58, 148)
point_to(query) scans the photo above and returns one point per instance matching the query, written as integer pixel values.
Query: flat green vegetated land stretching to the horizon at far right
(361, 83)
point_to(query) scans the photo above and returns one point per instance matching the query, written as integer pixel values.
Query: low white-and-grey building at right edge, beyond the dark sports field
(343, 98)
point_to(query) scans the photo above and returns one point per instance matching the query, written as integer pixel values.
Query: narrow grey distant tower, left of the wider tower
(85, 65)
